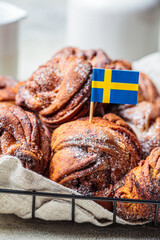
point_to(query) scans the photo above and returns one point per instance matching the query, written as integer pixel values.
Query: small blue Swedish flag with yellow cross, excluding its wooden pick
(114, 86)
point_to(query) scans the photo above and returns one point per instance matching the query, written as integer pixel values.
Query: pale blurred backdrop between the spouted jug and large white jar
(42, 33)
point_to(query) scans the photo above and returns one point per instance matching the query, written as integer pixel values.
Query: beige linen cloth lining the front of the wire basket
(14, 176)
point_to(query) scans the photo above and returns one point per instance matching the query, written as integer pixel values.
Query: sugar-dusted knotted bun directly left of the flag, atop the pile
(58, 91)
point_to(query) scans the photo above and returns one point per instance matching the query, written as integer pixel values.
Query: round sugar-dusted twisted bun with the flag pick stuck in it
(88, 157)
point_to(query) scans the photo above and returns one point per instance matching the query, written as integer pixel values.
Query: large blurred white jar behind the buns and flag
(126, 29)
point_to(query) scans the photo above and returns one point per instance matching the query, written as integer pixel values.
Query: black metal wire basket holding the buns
(73, 197)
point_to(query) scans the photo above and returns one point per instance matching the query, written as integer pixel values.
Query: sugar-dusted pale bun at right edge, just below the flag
(144, 118)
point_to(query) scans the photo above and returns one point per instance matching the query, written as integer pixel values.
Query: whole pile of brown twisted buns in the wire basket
(44, 122)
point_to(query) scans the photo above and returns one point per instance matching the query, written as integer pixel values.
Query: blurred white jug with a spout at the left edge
(10, 16)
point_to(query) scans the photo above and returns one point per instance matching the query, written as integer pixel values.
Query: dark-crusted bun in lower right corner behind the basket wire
(142, 182)
